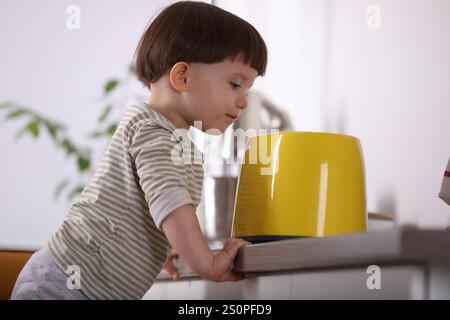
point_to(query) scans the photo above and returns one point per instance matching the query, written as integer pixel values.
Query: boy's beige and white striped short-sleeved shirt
(112, 233)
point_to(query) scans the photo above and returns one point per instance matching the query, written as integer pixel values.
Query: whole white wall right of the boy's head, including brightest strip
(389, 87)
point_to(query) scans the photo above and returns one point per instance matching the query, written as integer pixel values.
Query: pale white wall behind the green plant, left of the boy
(60, 73)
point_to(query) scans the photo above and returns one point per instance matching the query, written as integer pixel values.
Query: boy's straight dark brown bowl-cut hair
(196, 32)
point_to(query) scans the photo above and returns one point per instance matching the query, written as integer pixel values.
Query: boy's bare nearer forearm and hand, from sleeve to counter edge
(184, 234)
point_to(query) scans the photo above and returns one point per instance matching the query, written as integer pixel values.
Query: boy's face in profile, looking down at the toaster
(218, 92)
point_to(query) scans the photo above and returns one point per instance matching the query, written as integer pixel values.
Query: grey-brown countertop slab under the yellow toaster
(405, 245)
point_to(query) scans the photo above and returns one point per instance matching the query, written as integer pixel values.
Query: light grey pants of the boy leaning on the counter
(41, 279)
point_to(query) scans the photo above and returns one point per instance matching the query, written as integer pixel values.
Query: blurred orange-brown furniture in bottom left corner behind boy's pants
(11, 263)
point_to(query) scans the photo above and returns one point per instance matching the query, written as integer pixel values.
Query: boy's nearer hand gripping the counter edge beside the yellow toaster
(223, 262)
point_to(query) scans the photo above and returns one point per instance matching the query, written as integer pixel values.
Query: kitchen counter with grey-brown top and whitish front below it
(411, 263)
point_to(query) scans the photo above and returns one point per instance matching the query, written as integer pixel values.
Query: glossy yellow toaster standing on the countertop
(300, 184)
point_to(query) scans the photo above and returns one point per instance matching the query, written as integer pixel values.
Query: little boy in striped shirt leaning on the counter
(198, 62)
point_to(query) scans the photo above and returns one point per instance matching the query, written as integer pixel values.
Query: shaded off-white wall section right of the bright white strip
(390, 88)
